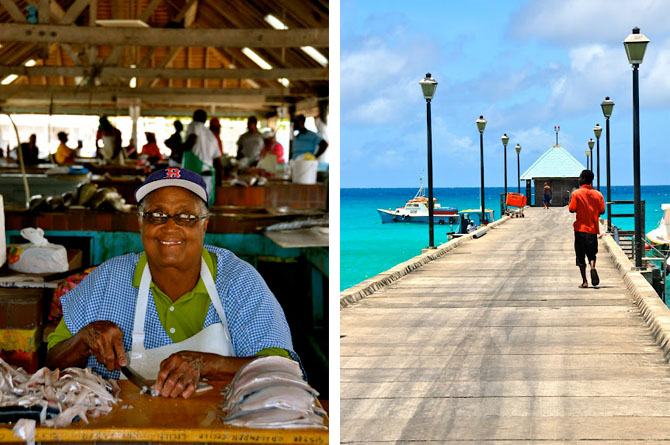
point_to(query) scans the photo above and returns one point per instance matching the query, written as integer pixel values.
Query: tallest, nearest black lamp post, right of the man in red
(635, 45)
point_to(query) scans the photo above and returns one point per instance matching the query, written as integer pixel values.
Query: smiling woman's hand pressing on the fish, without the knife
(179, 374)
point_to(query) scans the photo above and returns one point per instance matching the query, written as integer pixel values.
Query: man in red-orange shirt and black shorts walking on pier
(589, 205)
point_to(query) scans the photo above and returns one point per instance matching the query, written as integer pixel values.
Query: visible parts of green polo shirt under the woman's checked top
(181, 319)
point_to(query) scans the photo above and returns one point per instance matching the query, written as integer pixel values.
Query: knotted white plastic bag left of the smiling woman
(38, 256)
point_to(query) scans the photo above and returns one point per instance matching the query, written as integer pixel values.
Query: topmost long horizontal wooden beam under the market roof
(237, 38)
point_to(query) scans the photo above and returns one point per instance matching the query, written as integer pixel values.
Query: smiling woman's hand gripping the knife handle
(105, 342)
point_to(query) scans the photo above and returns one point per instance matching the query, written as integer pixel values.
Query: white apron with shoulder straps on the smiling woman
(214, 339)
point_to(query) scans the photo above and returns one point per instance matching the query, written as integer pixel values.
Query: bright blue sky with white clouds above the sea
(526, 66)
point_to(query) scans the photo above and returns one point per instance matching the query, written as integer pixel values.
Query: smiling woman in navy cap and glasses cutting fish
(177, 312)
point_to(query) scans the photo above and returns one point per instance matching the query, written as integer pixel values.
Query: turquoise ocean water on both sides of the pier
(368, 247)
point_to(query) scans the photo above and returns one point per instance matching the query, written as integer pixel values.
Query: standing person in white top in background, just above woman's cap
(201, 152)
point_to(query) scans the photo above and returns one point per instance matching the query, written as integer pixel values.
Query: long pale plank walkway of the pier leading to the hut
(495, 342)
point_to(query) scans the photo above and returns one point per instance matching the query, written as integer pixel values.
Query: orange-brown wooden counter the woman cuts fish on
(140, 417)
